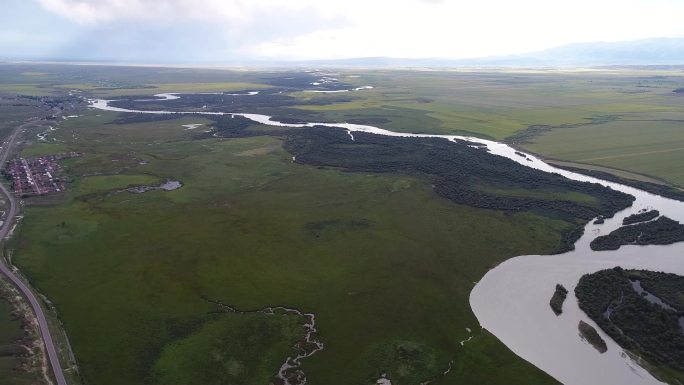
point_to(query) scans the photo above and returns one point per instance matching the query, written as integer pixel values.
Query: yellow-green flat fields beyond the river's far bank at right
(624, 120)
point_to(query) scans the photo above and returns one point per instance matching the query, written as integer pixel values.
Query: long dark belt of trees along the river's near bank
(462, 174)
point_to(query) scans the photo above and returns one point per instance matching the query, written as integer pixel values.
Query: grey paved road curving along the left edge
(5, 270)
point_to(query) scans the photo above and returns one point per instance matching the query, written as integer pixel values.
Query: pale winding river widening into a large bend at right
(512, 300)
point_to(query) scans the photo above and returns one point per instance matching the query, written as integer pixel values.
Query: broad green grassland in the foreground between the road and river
(128, 273)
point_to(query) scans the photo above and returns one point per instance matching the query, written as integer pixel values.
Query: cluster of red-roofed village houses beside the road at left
(37, 176)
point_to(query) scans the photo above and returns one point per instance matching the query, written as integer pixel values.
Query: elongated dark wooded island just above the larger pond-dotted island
(662, 231)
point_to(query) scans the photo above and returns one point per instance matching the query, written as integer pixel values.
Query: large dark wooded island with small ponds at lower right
(641, 310)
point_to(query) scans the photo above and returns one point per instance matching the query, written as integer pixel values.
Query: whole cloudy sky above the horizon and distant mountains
(233, 31)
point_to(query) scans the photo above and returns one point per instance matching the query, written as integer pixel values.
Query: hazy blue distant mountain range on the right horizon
(656, 51)
